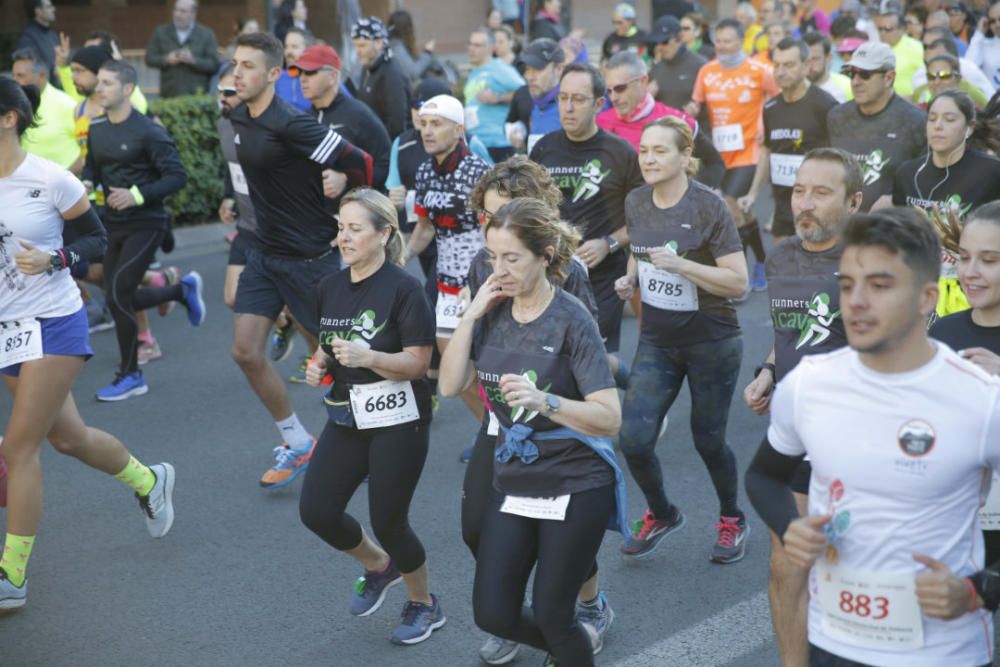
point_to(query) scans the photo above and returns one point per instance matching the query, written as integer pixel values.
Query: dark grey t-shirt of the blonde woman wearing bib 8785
(700, 228)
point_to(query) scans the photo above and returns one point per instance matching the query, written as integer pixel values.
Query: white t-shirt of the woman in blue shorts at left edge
(32, 201)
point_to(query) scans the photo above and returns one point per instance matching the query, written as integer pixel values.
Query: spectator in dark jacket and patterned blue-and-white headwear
(384, 87)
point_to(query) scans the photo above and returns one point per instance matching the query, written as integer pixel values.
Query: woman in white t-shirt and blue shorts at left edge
(45, 343)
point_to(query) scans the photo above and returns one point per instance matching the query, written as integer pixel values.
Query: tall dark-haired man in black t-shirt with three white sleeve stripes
(282, 153)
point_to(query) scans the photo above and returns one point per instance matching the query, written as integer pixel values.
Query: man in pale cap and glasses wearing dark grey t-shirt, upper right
(878, 126)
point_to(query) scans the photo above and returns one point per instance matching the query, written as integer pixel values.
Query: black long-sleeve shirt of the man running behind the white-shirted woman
(136, 152)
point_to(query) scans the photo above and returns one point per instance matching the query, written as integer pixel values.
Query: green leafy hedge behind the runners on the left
(191, 122)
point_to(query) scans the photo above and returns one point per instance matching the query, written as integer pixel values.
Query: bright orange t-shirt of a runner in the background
(735, 101)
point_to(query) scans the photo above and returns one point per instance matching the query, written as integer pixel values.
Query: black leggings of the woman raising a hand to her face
(562, 553)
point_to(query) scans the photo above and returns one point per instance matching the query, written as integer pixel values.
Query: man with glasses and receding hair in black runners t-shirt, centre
(595, 172)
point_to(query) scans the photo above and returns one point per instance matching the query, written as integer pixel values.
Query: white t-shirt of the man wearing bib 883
(906, 459)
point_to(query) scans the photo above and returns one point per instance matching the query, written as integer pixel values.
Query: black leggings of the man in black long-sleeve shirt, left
(126, 261)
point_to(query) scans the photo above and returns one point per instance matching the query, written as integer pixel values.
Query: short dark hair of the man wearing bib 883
(901, 230)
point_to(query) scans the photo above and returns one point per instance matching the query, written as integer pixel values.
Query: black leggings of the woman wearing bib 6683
(392, 461)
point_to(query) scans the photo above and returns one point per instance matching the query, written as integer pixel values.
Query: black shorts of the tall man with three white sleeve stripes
(269, 283)
